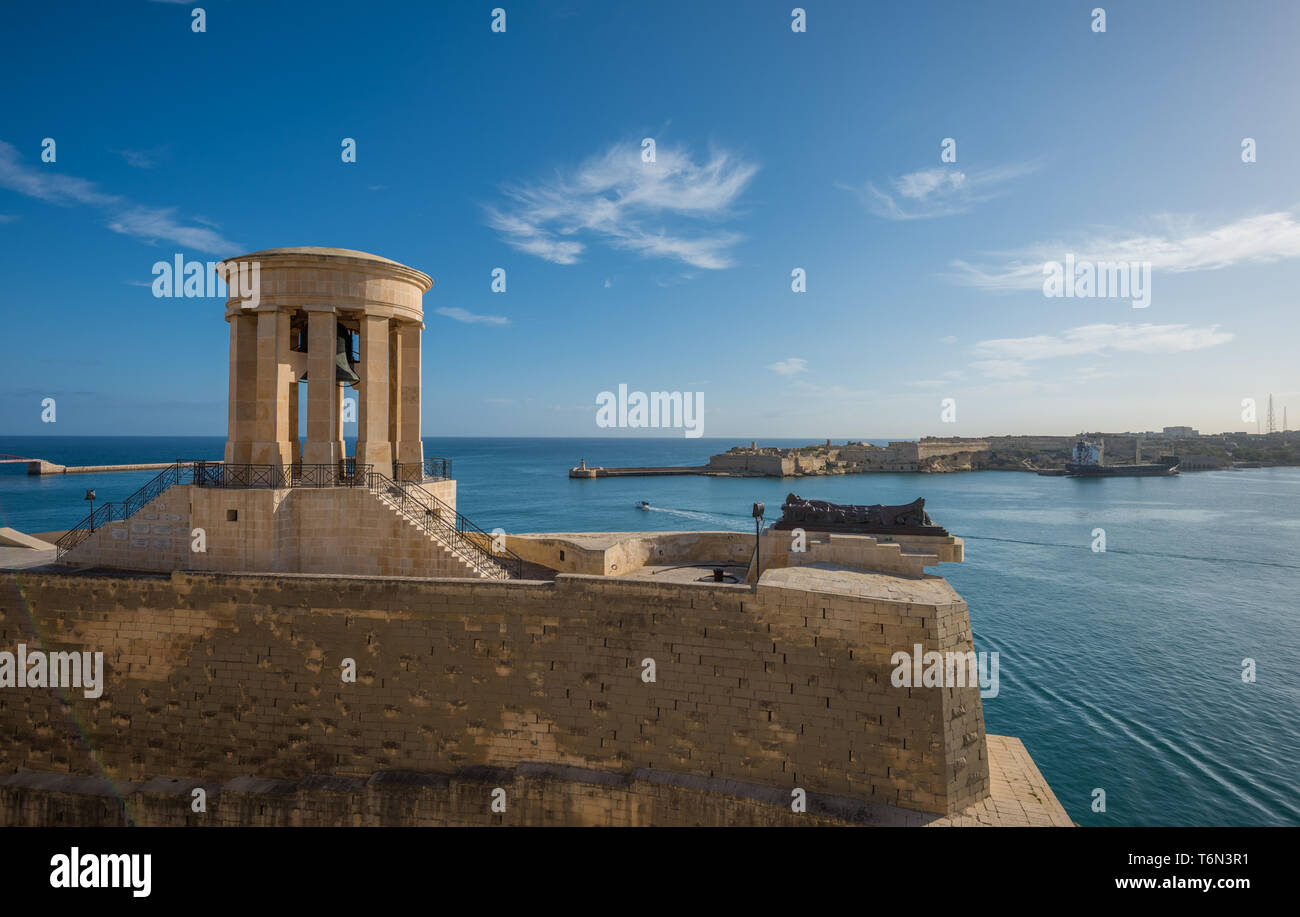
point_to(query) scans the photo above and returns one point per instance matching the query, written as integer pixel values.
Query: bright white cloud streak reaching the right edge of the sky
(1175, 246)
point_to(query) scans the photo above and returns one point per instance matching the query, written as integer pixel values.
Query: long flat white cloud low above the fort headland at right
(1004, 356)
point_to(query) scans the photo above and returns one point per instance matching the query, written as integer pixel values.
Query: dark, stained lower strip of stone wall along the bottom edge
(534, 795)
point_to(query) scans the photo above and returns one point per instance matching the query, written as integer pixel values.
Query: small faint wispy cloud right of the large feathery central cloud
(939, 192)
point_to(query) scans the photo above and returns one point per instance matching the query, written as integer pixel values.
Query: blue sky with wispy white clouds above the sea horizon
(521, 150)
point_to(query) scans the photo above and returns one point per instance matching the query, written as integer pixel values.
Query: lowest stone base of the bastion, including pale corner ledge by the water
(540, 794)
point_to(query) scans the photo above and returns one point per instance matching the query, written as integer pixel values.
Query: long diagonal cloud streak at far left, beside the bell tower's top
(151, 224)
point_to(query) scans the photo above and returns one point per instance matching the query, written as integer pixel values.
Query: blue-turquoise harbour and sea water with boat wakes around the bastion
(1120, 671)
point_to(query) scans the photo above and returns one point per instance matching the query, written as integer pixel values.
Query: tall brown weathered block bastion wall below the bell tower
(220, 677)
